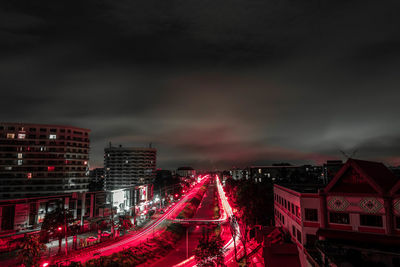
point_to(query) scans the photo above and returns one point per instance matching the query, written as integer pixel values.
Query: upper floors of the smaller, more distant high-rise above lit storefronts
(129, 166)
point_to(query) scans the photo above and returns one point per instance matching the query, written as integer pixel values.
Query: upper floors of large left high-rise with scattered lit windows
(37, 159)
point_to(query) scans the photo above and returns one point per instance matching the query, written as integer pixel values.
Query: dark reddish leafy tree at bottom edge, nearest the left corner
(31, 251)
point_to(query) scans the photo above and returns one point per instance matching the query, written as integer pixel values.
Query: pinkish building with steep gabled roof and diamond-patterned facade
(360, 205)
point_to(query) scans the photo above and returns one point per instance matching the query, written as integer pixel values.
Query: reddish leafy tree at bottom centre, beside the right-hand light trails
(209, 252)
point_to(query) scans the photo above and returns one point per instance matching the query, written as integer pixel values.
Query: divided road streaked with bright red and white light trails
(178, 256)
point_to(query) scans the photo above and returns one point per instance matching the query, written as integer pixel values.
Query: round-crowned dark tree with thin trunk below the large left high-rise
(56, 223)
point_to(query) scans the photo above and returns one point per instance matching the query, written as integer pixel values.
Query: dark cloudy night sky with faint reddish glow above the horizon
(212, 84)
